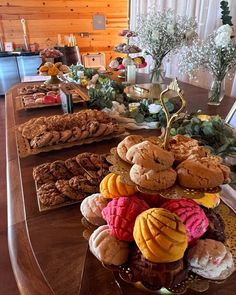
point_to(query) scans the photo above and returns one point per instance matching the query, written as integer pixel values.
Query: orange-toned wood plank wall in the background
(48, 18)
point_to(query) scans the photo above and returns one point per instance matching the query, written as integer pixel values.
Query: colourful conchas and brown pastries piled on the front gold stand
(151, 239)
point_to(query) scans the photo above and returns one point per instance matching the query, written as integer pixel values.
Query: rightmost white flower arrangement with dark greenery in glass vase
(216, 54)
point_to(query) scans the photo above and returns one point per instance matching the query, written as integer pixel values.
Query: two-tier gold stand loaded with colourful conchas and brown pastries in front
(157, 219)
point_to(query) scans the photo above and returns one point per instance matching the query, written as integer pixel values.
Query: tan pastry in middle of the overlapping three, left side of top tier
(149, 155)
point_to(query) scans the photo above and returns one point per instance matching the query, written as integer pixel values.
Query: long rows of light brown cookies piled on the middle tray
(68, 128)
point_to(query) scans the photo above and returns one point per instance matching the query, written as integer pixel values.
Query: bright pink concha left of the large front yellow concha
(120, 215)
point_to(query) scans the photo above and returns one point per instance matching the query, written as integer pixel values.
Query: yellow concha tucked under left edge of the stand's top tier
(112, 187)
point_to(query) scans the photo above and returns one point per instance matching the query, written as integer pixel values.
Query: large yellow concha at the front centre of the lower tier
(160, 235)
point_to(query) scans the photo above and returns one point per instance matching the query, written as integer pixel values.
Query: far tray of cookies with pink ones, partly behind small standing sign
(46, 95)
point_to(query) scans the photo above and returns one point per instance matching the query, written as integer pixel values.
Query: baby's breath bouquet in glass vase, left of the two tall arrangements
(161, 32)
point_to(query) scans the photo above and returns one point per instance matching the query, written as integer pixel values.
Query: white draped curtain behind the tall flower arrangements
(207, 14)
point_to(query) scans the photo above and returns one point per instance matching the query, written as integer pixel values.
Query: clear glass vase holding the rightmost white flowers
(216, 91)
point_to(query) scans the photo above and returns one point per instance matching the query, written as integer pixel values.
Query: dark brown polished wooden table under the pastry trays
(47, 249)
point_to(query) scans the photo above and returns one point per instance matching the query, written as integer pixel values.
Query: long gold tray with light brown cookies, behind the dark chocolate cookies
(44, 134)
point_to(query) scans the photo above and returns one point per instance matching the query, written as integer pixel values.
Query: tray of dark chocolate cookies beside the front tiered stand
(62, 183)
